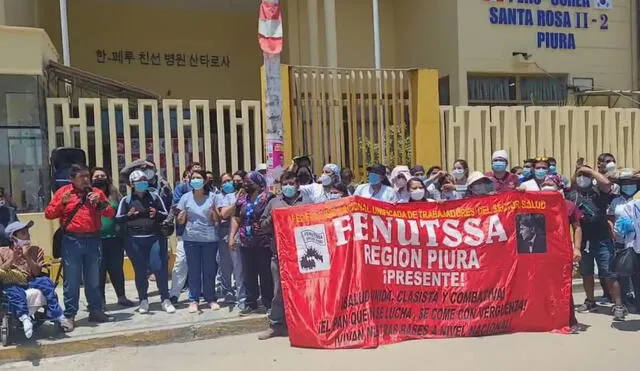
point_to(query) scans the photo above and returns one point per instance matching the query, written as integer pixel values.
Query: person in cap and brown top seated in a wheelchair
(22, 258)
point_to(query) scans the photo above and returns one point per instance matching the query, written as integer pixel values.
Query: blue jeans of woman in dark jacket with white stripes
(149, 253)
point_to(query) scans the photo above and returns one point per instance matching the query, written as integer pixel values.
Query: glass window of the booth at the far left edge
(24, 171)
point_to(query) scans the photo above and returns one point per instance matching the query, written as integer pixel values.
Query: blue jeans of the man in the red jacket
(81, 259)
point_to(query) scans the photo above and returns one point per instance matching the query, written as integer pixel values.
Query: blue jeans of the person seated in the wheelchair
(17, 297)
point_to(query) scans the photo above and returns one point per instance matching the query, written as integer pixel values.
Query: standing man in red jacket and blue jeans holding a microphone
(81, 206)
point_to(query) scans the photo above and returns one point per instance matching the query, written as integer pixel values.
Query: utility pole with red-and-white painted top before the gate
(270, 37)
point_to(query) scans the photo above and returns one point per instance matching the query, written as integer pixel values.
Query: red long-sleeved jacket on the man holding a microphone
(87, 219)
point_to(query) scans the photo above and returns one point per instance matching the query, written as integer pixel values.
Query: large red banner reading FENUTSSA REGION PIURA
(357, 273)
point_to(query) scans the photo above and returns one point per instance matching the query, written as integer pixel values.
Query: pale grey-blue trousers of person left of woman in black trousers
(231, 262)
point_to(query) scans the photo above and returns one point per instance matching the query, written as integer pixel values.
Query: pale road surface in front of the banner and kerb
(602, 346)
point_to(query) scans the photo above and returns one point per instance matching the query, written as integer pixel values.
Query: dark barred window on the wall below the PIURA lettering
(516, 89)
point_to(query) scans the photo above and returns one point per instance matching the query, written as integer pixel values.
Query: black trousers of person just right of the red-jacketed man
(112, 263)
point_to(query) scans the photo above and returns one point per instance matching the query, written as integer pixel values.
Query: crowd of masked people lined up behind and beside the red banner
(226, 252)
